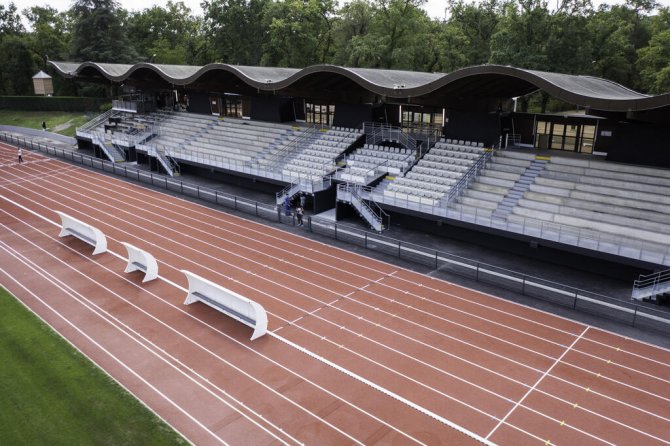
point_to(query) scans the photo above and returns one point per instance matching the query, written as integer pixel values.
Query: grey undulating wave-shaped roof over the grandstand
(482, 80)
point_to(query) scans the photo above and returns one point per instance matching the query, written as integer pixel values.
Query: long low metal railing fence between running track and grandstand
(629, 313)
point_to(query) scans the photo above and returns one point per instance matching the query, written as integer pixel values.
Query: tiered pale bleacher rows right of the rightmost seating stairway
(621, 200)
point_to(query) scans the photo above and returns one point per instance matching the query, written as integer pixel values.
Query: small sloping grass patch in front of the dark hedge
(64, 123)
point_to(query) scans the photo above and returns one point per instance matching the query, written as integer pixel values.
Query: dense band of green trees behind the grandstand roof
(625, 43)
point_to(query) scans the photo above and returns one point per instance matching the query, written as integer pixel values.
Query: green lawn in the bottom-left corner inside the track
(50, 394)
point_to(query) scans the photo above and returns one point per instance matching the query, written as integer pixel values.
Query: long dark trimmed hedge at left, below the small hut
(52, 103)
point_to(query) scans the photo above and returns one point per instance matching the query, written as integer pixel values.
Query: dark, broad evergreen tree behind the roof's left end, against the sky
(98, 33)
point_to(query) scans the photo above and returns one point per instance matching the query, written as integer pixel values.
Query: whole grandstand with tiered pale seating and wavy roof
(405, 147)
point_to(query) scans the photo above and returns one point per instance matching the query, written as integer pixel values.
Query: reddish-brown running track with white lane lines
(358, 351)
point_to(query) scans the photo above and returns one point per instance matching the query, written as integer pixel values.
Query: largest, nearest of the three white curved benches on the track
(228, 302)
